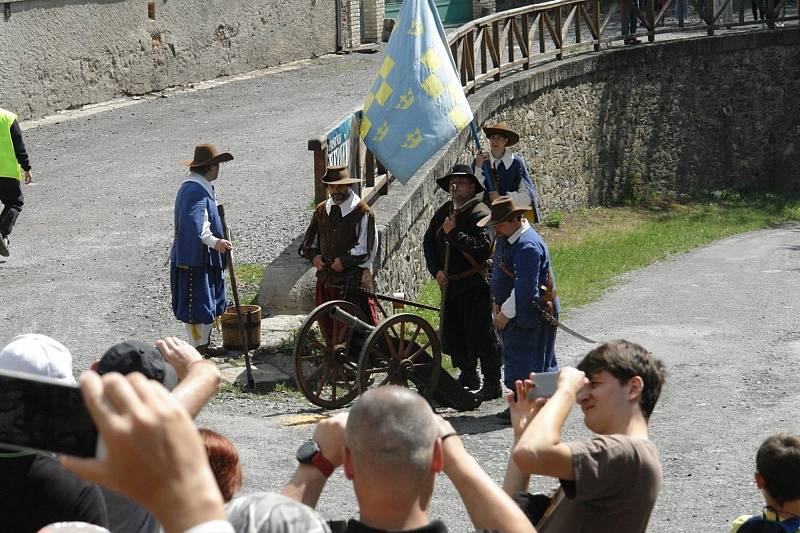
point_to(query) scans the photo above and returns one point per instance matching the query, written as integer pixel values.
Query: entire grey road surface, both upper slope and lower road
(88, 269)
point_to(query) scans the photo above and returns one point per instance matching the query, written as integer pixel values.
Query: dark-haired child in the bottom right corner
(778, 478)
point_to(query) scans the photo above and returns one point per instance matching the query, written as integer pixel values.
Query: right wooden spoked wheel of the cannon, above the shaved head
(403, 350)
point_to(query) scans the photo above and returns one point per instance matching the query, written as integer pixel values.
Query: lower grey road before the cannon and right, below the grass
(723, 318)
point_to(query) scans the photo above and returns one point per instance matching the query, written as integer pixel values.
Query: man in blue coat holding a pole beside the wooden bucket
(197, 259)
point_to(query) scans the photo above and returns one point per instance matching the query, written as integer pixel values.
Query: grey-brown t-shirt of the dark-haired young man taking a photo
(617, 479)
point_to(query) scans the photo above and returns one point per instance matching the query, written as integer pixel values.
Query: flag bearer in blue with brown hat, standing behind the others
(508, 172)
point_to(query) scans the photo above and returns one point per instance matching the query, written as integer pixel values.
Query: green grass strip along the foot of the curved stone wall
(591, 247)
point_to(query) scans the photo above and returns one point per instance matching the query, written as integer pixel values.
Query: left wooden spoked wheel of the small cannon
(324, 358)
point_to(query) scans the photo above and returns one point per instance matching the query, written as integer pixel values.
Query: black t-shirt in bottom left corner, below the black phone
(36, 491)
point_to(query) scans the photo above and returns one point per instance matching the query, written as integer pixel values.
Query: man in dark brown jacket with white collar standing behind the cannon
(340, 243)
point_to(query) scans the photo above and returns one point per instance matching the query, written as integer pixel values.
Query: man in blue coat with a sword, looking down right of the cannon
(523, 293)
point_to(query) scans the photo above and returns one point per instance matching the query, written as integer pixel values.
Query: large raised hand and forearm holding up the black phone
(142, 424)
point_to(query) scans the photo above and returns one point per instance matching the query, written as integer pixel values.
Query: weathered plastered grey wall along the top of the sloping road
(58, 54)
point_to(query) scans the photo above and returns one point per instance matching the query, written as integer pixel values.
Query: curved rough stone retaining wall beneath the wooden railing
(678, 117)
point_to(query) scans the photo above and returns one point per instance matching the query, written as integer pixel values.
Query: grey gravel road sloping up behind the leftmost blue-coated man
(88, 252)
